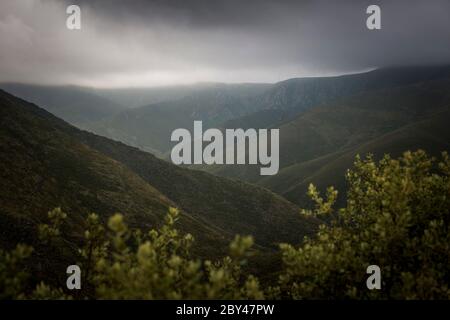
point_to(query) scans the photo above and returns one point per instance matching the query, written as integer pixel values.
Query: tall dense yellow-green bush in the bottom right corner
(397, 217)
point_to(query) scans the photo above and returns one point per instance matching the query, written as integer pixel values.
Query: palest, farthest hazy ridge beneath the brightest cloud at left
(81, 106)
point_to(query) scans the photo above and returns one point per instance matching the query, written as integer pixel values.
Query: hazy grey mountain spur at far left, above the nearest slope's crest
(76, 105)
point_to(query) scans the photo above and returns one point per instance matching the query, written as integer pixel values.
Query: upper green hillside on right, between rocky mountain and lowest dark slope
(344, 124)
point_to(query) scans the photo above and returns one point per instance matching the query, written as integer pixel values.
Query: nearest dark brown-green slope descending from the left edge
(43, 168)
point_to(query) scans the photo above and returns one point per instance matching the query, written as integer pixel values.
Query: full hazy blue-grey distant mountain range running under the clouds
(145, 117)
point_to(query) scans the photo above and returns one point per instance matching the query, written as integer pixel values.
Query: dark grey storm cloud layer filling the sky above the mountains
(155, 42)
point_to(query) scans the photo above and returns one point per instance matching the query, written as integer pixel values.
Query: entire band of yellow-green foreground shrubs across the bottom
(397, 217)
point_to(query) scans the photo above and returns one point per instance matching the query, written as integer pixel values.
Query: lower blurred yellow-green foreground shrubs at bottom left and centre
(119, 263)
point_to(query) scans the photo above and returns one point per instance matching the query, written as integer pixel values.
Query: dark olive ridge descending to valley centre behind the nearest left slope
(231, 205)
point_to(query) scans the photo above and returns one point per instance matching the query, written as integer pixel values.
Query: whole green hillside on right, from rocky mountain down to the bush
(389, 120)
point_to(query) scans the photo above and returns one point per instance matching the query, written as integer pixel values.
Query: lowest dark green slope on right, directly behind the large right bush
(432, 135)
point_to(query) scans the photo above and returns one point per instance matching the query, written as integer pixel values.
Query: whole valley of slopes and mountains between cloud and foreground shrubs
(106, 168)
